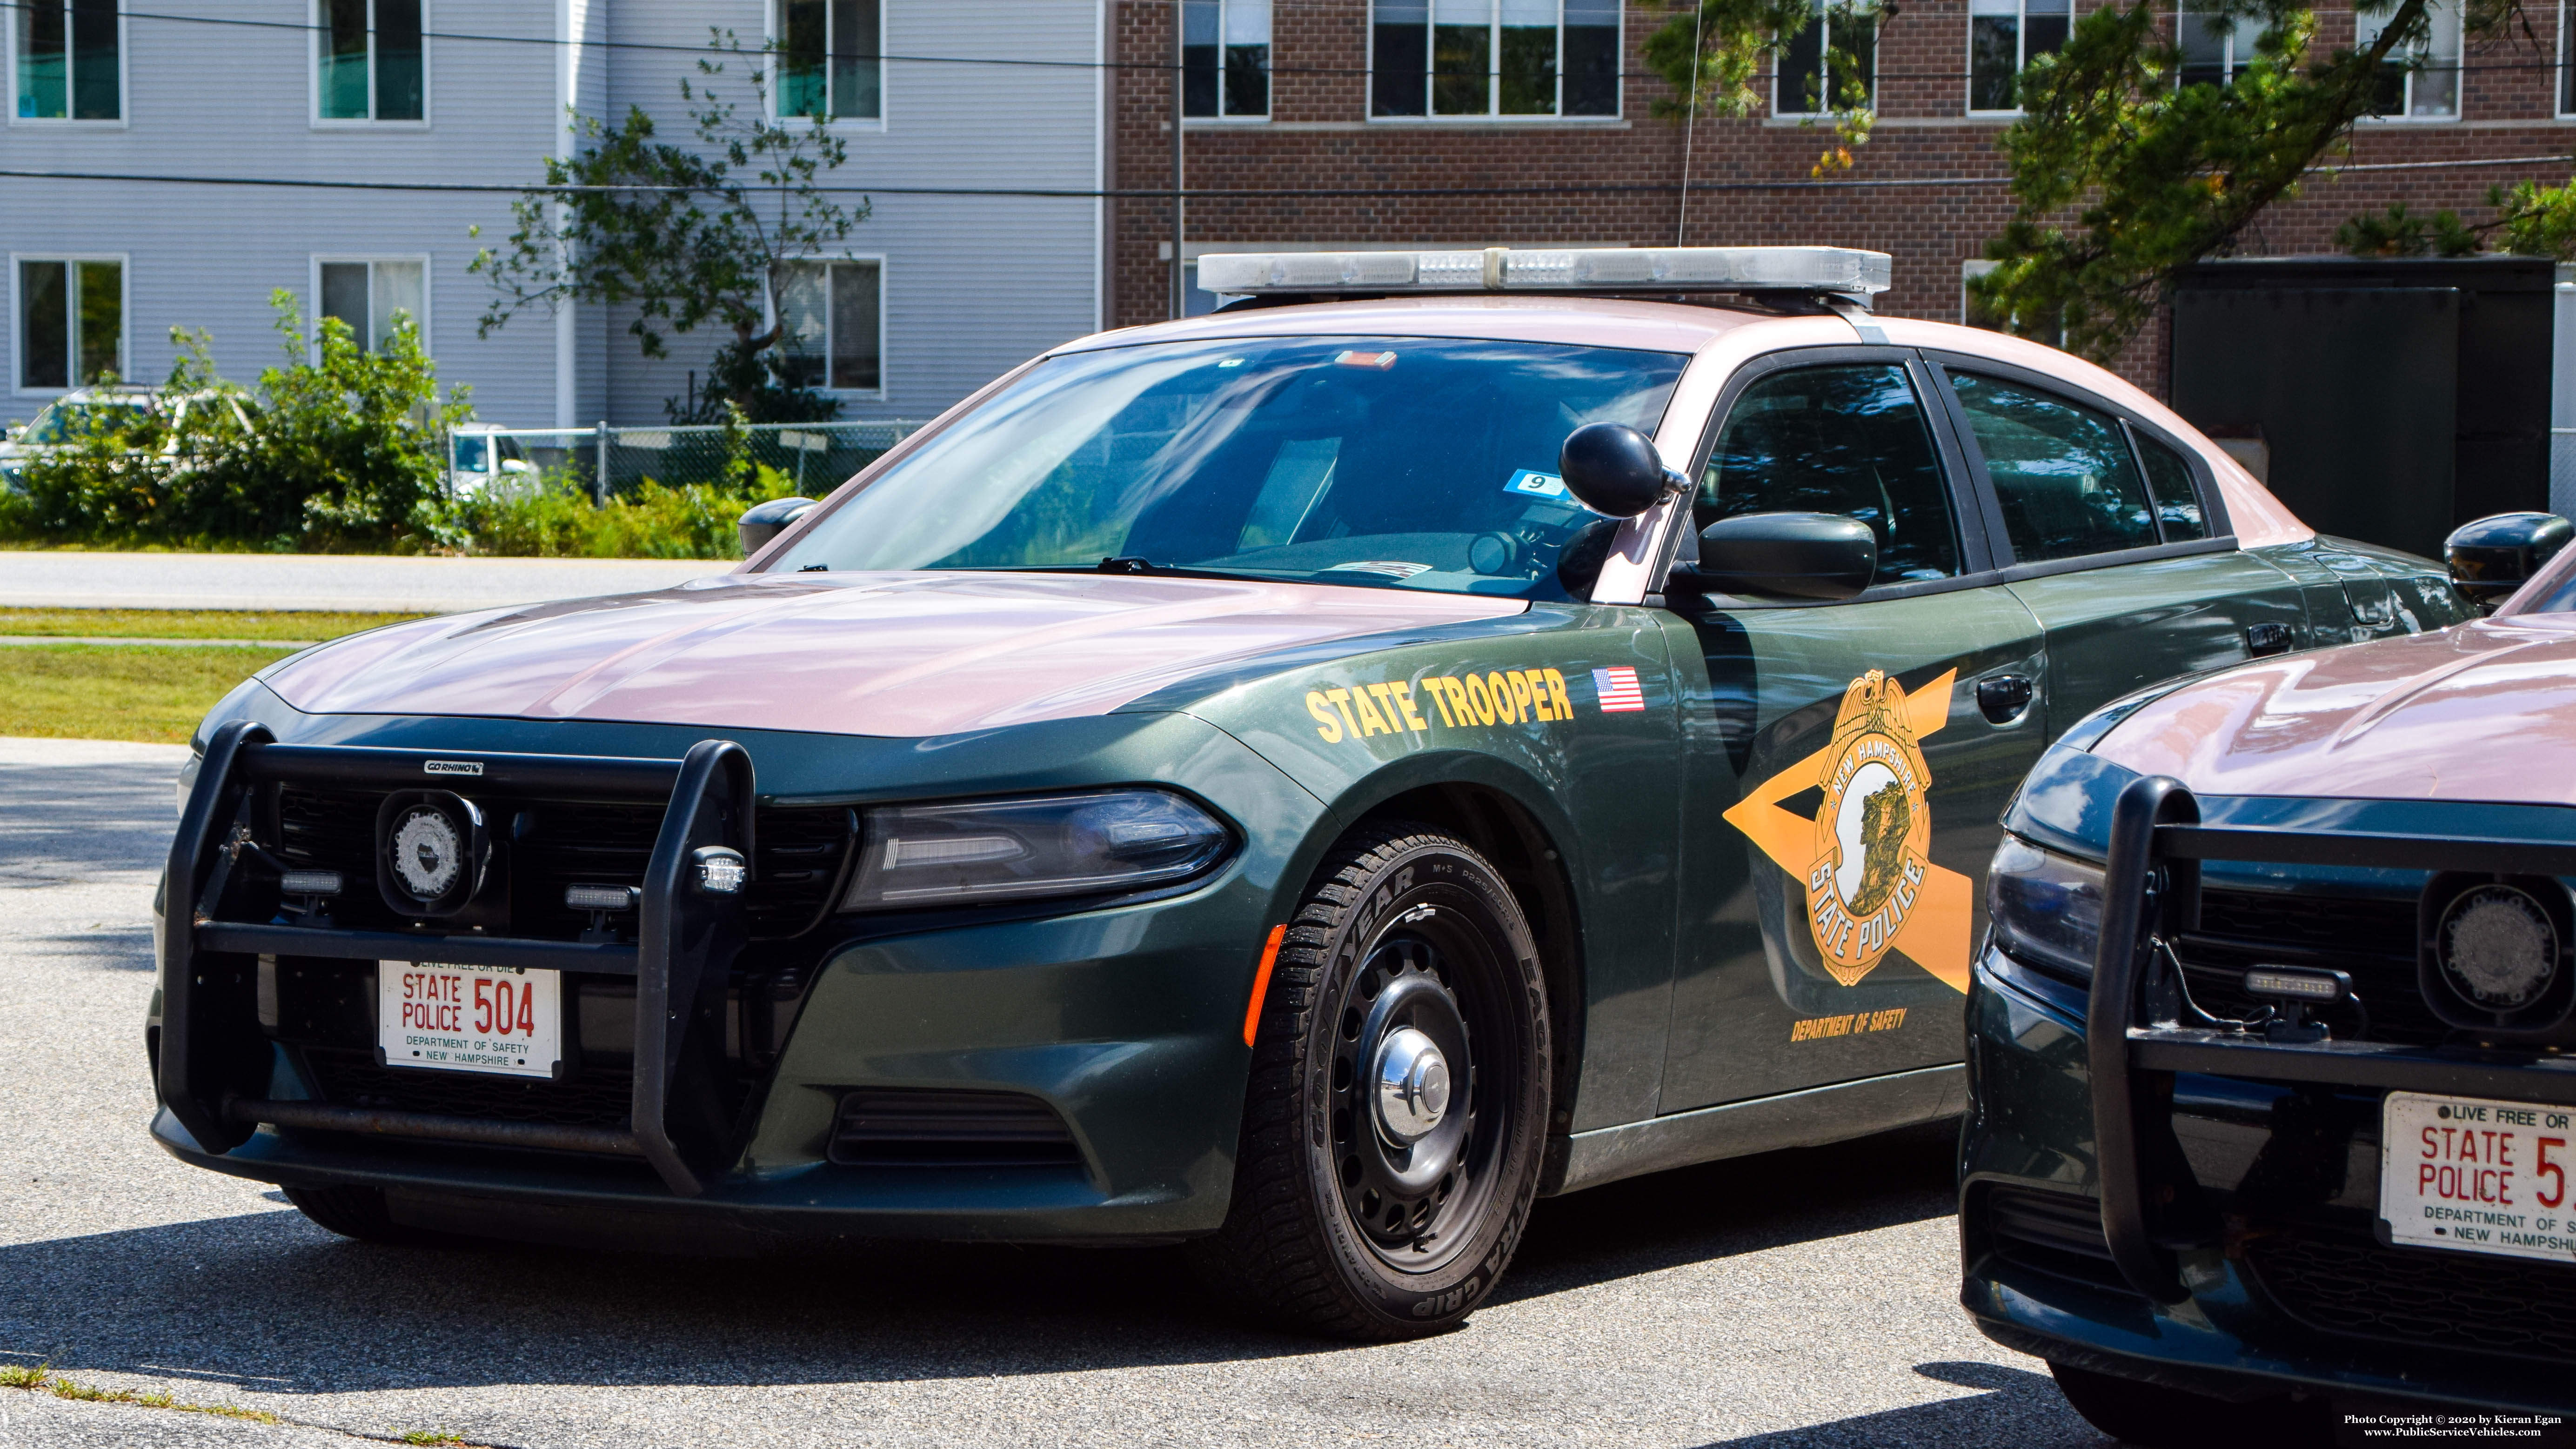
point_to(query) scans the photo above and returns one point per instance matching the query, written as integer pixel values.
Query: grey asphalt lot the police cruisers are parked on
(1786, 1301)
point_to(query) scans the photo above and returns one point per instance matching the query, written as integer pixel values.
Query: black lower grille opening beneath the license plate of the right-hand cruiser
(2454, 1301)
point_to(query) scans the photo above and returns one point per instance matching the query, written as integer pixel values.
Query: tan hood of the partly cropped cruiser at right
(2482, 712)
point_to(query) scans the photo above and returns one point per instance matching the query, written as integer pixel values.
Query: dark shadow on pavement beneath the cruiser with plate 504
(269, 1301)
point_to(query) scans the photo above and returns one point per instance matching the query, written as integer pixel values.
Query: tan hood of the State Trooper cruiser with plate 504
(882, 655)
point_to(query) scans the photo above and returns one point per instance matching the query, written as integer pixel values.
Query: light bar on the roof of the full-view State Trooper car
(1570, 269)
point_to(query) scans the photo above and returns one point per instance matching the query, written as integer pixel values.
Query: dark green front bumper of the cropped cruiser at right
(2271, 1154)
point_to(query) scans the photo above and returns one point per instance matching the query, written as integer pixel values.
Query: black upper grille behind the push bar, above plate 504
(800, 853)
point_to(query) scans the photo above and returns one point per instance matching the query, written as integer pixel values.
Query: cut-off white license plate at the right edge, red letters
(2479, 1177)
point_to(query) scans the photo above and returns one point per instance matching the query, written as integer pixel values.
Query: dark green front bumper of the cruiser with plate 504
(1122, 1020)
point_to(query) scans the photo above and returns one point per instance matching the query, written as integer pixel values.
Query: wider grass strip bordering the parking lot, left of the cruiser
(120, 691)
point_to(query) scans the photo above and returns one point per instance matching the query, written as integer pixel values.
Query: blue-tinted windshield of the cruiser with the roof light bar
(1403, 462)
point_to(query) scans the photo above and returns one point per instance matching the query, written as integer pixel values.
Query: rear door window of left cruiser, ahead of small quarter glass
(2062, 472)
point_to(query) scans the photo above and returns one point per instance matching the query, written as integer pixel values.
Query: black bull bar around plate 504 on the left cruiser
(215, 1059)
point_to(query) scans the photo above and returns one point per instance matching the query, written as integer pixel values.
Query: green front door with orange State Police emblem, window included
(1843, 773)
